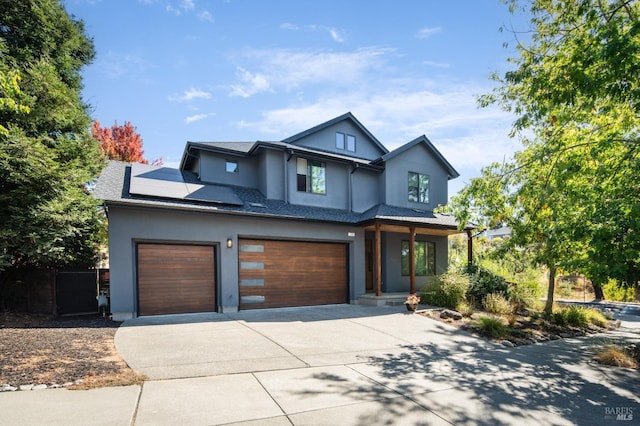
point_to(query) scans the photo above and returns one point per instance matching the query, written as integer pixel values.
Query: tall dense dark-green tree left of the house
(47, 156)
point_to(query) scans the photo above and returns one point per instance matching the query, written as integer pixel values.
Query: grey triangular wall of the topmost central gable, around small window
(325, 140)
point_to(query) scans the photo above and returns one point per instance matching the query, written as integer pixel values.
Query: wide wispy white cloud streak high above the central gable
(291, 68)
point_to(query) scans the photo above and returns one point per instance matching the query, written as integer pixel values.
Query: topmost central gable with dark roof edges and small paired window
(344, 135)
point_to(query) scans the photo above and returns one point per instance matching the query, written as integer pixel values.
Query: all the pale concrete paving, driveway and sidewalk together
(345, 365)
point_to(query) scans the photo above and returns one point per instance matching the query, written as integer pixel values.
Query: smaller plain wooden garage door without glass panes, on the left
(175, 279)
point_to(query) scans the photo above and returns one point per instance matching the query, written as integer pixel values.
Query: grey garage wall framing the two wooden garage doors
(128, 226)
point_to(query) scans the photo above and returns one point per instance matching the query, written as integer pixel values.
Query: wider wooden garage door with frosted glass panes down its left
(276, 274)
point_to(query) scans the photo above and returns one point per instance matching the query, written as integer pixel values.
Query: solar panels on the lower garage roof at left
(165, 182)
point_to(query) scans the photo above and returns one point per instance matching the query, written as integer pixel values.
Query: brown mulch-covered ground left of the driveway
(40, 349)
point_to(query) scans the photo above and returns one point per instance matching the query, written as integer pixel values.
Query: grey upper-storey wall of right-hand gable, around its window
(418, 160)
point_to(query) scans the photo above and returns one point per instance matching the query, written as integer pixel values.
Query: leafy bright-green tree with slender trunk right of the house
(571, 194)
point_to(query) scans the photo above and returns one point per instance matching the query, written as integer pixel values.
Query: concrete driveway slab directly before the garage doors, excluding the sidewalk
(185, 346)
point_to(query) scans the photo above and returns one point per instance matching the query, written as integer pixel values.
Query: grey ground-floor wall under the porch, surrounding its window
(392, 277)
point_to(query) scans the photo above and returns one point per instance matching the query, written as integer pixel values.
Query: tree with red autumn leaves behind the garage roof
(121, 143)
